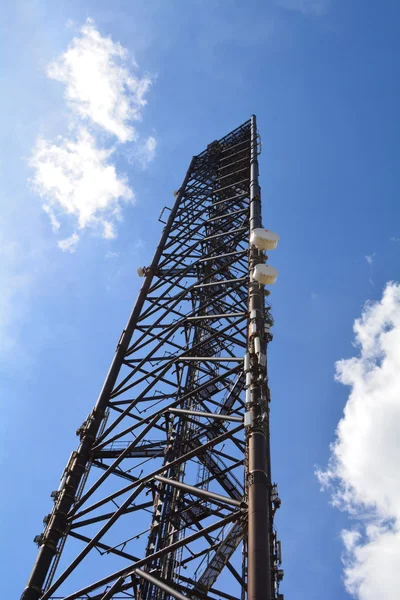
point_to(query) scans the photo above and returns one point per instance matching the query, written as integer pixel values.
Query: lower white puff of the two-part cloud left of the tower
(74, 176)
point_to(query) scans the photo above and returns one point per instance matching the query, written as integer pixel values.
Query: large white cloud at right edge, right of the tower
(364, 464)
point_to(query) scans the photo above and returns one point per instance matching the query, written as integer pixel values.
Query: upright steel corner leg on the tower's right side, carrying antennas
(257, 430)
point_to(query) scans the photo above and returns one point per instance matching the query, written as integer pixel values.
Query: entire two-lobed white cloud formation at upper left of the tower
(75, 175)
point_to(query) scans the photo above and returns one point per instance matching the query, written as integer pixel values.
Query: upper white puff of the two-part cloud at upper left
(100, 85)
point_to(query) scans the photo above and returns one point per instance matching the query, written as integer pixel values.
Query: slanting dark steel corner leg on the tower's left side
(57, 526)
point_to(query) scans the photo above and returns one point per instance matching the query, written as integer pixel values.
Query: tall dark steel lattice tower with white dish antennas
(169, 494)
